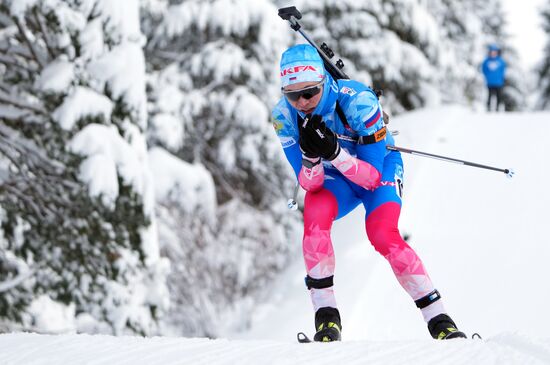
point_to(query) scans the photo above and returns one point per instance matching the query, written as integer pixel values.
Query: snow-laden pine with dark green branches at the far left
(76, 205)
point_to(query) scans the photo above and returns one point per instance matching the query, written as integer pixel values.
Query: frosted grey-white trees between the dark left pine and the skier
(222, 215)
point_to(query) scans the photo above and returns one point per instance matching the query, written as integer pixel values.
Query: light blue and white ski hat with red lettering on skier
(301, 63)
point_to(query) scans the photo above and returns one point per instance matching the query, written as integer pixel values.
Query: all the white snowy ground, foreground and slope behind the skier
(483, 238)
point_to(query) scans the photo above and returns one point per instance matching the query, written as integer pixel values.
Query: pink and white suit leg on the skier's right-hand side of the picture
(381, 225)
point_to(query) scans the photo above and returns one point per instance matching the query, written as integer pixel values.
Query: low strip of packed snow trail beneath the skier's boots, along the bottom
(26, 349)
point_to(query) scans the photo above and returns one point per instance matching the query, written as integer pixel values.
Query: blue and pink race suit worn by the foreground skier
(362, 173)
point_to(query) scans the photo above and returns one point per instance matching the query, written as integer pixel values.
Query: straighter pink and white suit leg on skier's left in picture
(320, 210)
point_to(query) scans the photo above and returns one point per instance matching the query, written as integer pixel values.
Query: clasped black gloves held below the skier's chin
(316, 139)
